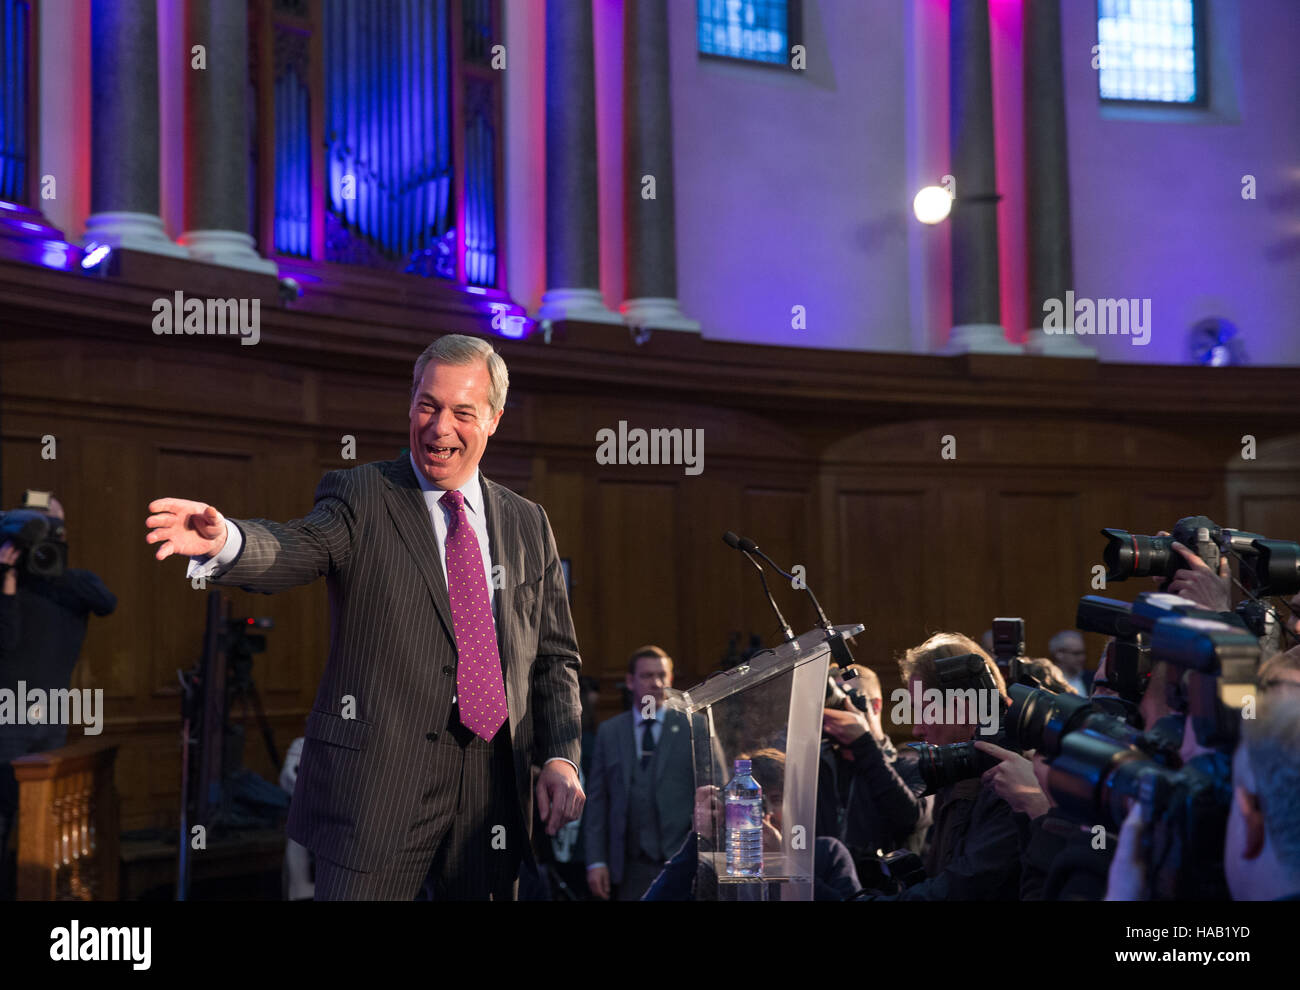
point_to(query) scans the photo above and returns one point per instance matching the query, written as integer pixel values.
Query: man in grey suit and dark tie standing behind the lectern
(643, 785)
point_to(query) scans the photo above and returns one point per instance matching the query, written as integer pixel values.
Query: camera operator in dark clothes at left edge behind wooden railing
(42, 629)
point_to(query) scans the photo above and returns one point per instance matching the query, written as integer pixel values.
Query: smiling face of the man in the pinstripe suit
(452, 422)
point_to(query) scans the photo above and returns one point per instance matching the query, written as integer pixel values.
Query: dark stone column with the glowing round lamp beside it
(977, 307)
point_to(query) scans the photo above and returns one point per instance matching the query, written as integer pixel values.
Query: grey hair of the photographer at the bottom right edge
(1273, 746)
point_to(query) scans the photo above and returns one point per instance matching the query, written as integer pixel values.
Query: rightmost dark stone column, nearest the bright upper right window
(1047, 180)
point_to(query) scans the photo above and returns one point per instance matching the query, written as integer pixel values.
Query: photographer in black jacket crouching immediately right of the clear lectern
(883, 806)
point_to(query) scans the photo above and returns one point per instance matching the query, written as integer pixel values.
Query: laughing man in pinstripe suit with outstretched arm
(417, 774)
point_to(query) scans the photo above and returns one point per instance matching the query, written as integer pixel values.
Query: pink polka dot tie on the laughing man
(480, 689)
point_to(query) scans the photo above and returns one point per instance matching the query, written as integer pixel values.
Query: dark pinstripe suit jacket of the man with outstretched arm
(393, 650)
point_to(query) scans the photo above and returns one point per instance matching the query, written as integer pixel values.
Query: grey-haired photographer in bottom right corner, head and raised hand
(1262, 846)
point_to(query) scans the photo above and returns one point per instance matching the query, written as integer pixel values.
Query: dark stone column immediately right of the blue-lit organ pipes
(573, 223)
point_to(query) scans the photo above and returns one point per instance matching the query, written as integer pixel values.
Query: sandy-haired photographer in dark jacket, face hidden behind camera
(976, 841)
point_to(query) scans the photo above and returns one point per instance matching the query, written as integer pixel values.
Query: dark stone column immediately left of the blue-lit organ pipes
(216, 129)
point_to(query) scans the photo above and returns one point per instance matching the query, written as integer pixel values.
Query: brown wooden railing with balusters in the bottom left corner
(68, 823)
